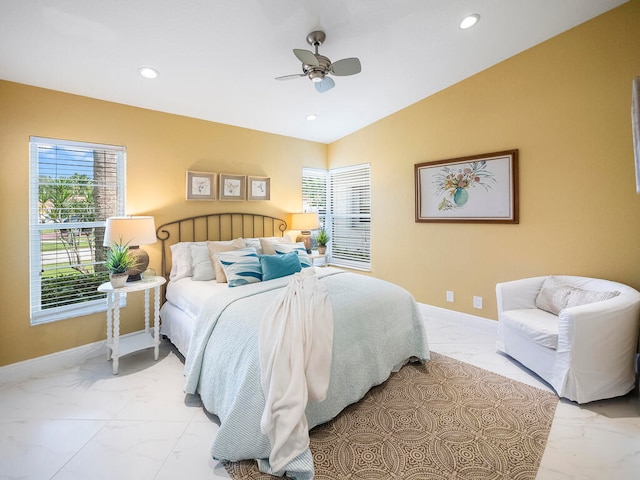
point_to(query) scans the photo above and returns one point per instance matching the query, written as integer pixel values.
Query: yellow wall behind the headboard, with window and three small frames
(160, 148)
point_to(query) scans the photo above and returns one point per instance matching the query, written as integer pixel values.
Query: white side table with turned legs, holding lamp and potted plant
(116, 348)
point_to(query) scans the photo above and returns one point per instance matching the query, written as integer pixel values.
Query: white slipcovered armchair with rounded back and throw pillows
(587, 351)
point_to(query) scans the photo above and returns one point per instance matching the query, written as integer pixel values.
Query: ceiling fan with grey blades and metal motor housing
(317, 67)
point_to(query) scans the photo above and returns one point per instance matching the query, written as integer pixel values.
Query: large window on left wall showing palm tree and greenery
(74, 188)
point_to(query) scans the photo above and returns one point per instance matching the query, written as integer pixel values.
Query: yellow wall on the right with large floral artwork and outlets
(565, 104)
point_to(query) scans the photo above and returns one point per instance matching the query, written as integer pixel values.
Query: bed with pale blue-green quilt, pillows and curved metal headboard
(376, 326)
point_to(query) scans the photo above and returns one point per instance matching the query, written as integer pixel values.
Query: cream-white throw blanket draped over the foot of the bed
(296, 337)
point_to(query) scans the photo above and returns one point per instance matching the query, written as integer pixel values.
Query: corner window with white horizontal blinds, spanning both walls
(347, 211)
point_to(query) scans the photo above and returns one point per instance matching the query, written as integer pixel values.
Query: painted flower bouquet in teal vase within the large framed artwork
(454, 183)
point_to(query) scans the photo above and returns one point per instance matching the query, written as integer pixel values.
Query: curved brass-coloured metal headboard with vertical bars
(215, 226)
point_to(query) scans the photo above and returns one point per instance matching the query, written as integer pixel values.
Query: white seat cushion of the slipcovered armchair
(534, 324)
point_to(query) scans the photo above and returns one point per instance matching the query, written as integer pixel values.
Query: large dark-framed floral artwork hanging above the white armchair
(479, 188)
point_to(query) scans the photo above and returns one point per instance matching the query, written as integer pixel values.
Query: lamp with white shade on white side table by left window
(132, 231)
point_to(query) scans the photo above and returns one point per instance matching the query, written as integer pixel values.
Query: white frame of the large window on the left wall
(38, 315)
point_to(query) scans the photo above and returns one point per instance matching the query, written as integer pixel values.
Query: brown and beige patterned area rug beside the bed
(442, 420)
